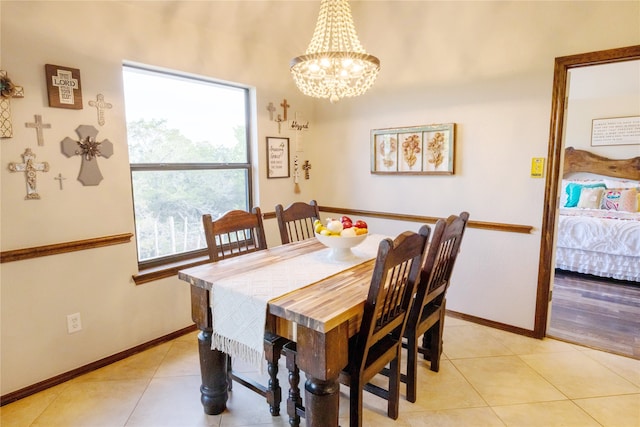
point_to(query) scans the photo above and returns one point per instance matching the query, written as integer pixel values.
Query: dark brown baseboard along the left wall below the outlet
(59, 379)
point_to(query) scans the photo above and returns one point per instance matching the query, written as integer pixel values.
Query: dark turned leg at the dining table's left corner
(213, 363)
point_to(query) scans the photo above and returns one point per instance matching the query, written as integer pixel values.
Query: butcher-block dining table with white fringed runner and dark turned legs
(300, 291)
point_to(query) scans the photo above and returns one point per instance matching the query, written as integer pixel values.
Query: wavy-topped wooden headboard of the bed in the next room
(584, 161)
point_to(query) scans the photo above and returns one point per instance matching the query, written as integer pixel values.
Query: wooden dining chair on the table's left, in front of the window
(236, 233)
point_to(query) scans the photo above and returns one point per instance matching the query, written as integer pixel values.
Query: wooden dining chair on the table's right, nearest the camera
(379, 341)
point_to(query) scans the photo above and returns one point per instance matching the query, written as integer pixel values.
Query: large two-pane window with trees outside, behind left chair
(189, 154)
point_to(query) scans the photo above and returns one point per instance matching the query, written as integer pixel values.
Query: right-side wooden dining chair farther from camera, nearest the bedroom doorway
(426, 318)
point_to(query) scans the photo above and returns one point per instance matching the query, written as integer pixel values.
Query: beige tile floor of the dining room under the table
(487, 378)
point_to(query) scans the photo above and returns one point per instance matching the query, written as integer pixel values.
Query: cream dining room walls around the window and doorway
(487, 66)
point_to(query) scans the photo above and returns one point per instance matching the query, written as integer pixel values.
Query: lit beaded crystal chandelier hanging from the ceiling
(335, 65)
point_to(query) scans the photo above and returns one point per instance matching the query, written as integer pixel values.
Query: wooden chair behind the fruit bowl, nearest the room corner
(296, 221)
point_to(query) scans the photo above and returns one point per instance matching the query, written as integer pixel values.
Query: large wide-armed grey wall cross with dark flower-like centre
(89, 149)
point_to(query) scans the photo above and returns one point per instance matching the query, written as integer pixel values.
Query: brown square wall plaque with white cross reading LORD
(63, 87)
